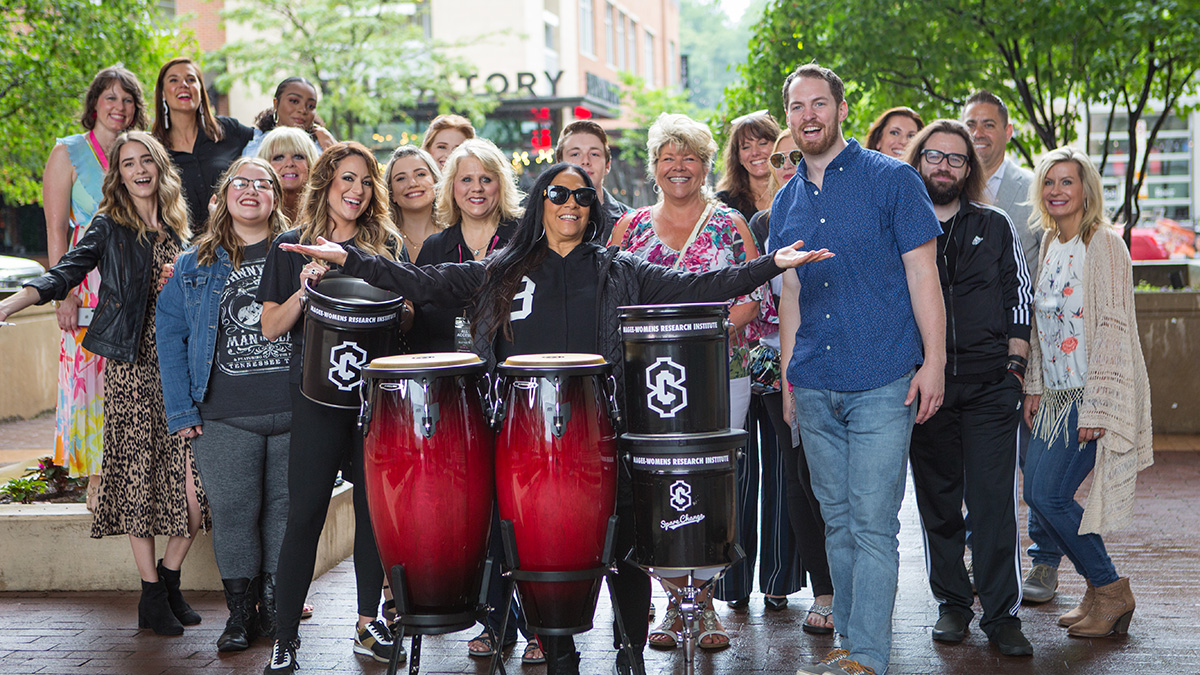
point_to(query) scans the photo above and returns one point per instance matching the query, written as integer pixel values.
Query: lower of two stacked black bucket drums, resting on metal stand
(685, 507)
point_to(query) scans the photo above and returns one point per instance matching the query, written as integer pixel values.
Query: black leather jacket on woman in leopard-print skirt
(127, 272)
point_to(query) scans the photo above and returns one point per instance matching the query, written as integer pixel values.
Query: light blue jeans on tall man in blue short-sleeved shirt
(857, 449)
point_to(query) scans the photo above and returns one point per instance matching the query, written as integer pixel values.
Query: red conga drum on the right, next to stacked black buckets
(556, 480)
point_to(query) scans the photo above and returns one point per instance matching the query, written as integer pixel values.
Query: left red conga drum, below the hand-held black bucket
(429, 464)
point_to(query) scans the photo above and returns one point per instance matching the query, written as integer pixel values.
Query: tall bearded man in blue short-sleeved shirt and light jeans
(869, 359)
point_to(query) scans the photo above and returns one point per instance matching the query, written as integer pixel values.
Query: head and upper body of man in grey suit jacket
(1009, 186)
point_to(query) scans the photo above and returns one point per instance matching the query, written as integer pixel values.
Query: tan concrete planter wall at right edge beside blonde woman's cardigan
(1169, 326)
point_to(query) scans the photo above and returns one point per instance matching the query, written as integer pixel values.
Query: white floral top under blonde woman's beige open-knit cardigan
(1059, 306)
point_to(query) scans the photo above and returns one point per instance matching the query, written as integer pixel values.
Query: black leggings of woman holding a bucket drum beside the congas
(323, 440)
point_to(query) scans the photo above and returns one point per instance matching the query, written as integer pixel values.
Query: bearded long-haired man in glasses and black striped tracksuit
(971, 441)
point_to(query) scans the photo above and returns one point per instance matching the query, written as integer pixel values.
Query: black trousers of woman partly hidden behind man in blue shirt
(803, 510)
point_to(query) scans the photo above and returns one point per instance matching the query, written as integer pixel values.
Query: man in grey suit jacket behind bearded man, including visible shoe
(1009, 188)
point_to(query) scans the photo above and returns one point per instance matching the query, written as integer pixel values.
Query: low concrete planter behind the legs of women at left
(46, 547)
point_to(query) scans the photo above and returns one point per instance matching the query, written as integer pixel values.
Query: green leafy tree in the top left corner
(51, 51)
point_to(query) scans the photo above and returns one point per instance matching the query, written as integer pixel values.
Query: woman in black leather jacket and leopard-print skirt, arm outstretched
(151, 485)
